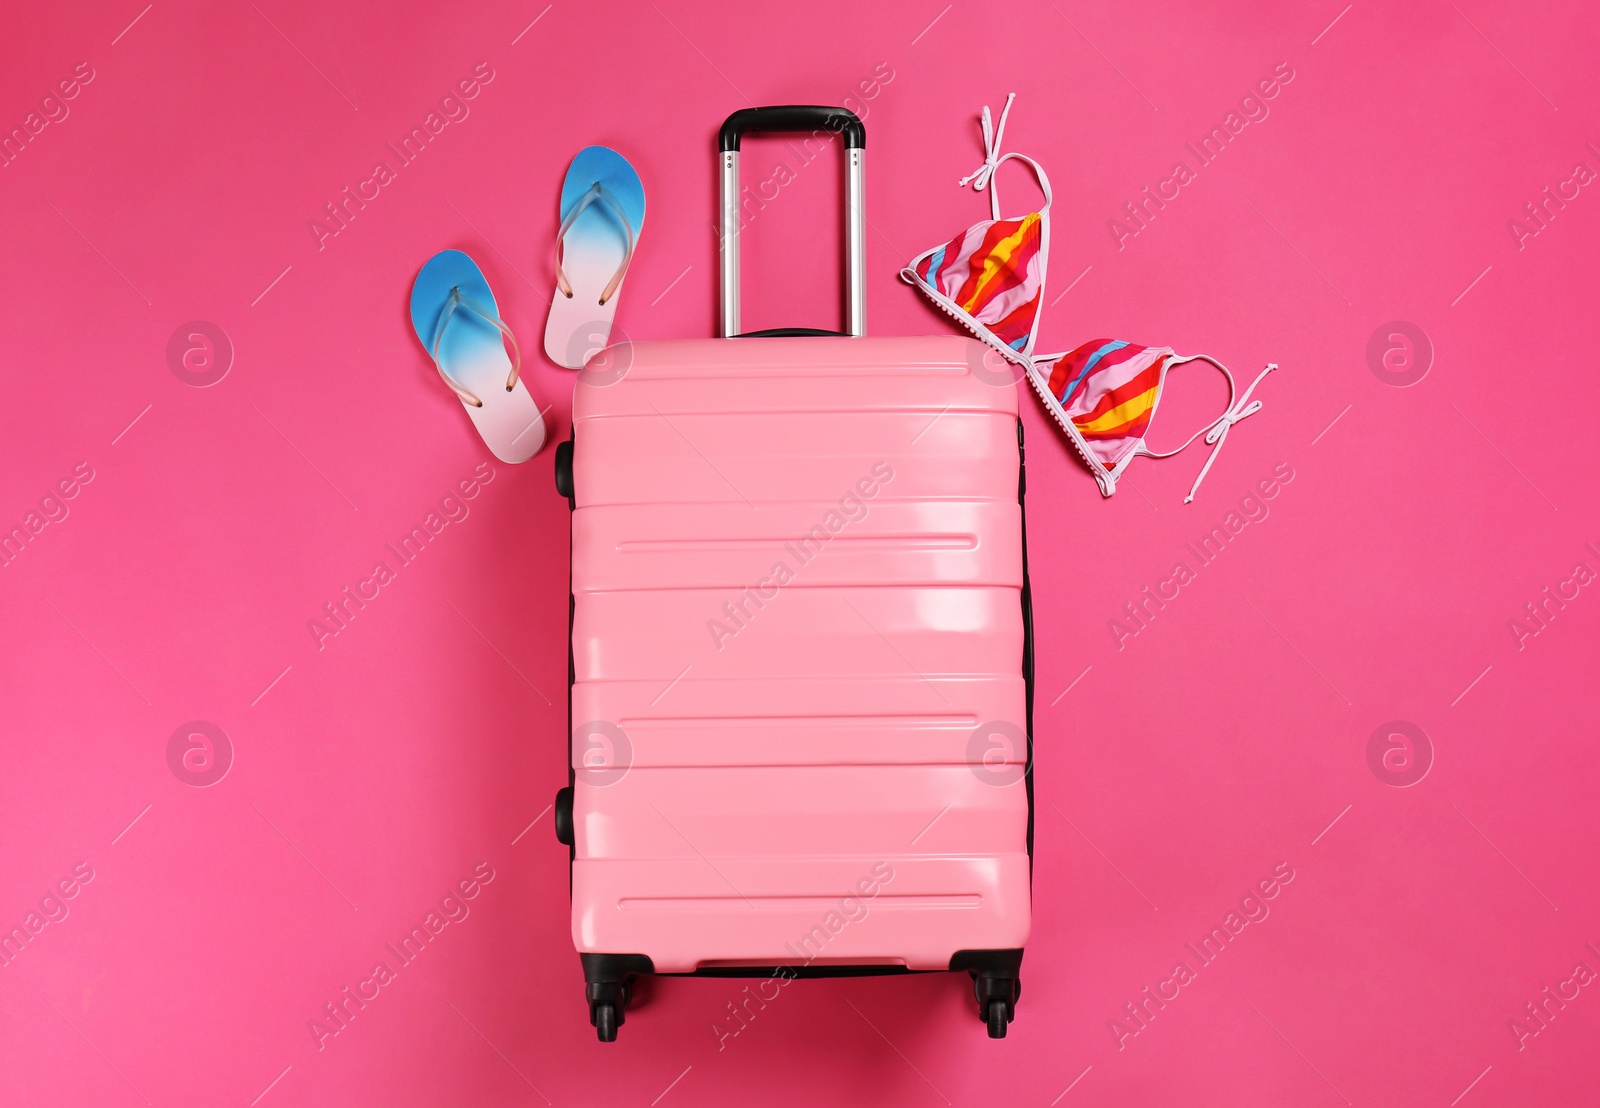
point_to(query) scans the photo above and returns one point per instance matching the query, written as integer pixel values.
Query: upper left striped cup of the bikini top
(993, 271)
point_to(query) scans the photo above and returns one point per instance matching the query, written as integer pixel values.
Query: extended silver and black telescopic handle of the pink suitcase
(794, 118)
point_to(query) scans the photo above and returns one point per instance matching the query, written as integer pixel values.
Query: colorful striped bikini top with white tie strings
(991, 279)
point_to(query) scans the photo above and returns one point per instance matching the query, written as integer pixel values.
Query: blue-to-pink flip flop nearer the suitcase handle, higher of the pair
(602, 214)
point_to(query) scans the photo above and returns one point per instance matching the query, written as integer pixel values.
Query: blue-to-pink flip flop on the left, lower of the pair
(458, 324)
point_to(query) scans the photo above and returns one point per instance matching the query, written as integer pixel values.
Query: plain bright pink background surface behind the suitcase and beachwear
(1178, 769)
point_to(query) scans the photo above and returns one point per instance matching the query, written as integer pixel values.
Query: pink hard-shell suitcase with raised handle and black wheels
(801, 651)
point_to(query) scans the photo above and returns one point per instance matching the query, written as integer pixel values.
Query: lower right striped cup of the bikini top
(1108, 390)
